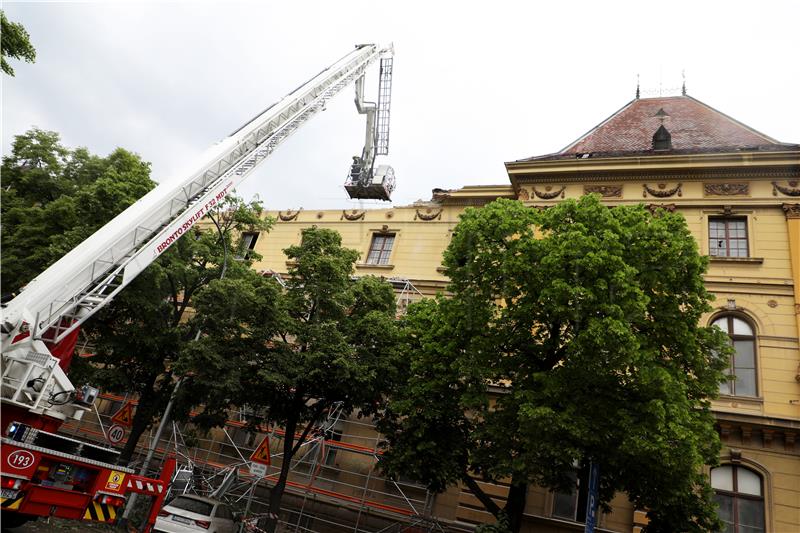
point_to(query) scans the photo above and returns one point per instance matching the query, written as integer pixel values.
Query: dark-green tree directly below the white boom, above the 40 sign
(138, 339)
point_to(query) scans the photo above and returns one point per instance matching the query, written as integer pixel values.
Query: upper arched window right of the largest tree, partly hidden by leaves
(743, 362)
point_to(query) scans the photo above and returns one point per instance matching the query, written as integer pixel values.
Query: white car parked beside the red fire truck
(188, 513)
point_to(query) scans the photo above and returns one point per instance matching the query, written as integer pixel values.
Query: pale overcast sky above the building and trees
(473, 87)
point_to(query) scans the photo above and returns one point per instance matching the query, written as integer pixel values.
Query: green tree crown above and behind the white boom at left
(53, 198)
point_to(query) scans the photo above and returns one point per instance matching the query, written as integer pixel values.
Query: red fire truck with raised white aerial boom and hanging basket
(46, 474)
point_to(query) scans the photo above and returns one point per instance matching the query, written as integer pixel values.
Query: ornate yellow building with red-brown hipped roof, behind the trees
(739, 191)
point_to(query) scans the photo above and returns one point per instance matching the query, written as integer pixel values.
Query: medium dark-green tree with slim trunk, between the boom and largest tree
(294, 353)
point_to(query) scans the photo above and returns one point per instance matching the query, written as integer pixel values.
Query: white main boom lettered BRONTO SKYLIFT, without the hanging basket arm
(65, 295)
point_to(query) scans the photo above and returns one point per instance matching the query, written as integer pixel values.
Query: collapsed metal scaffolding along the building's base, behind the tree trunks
(335, 483)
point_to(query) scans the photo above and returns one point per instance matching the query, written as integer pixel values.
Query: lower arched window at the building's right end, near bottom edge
(739, 493)
